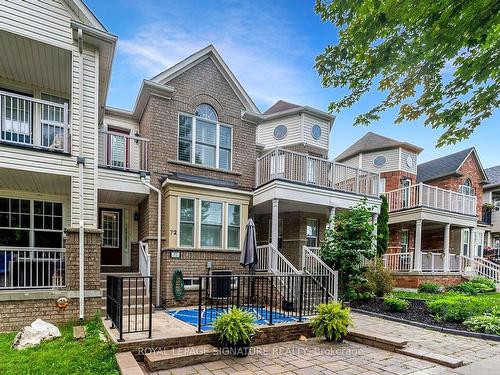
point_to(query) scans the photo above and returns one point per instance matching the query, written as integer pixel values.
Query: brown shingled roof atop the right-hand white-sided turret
(372, 142)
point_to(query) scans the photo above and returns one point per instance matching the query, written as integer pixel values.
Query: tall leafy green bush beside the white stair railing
(348, 239)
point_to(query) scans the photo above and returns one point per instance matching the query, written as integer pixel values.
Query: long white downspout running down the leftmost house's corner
(81, 163)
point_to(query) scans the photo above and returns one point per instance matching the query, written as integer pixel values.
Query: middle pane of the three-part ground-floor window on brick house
(211, 224)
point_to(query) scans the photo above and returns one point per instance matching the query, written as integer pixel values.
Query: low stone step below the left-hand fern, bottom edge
(181, 357)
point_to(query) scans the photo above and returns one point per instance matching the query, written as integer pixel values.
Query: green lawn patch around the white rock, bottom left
(63, 355)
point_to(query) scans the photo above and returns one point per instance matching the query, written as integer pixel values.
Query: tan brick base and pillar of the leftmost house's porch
(19, 309)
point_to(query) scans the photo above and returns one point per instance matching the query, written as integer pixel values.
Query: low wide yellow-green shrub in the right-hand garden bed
(458, 308)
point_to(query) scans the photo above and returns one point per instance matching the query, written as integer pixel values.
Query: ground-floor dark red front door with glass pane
(110, 221)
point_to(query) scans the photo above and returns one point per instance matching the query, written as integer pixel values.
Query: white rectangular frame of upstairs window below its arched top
(217, 141)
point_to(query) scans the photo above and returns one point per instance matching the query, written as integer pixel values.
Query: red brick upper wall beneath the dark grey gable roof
(469, 169)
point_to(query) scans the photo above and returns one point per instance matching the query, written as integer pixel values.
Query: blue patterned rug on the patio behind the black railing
(208, 315)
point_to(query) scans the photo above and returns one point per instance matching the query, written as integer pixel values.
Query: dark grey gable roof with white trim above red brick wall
(446, 165)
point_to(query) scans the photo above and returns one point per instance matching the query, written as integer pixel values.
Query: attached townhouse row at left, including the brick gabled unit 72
(87, 190)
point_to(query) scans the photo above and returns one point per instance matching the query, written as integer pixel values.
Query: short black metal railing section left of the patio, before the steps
(129, 304)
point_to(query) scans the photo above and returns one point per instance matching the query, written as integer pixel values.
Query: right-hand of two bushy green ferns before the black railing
(332, 321)
